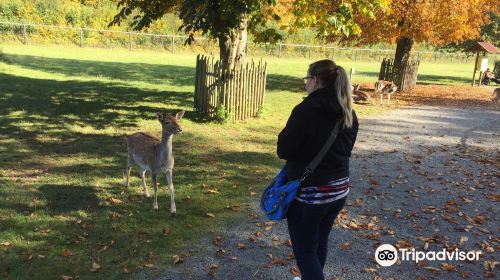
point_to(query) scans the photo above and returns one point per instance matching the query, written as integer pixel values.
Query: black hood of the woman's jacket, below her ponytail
(325, 102)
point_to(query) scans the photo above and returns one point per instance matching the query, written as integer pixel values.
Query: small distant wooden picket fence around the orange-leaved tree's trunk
(405, 77)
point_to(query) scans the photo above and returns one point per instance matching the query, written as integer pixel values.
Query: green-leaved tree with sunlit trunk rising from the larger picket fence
(226, 20)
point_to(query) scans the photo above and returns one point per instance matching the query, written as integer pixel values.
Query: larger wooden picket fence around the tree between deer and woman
(239, 92)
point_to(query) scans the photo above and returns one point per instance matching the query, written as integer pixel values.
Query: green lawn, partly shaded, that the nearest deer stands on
(63, 114)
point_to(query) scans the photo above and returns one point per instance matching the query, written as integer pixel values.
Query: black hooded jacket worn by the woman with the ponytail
(307, 129)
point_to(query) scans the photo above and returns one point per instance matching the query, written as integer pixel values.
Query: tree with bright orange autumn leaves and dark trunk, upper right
(438, 22)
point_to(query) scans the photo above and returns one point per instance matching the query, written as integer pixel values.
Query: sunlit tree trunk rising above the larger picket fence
(233, 47)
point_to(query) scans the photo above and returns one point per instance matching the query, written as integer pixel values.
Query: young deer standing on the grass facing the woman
(154, 155)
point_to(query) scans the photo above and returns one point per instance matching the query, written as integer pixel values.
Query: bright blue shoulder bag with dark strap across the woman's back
(278, 196)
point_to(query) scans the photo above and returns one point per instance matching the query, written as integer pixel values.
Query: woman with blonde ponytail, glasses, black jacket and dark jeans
(322, 194)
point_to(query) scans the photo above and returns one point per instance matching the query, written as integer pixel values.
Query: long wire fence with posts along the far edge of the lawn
(104, 38)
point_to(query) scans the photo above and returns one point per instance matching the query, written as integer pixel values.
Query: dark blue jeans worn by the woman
(309, 226)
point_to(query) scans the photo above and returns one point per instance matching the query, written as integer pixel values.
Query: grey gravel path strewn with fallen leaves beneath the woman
(421, 176)
